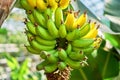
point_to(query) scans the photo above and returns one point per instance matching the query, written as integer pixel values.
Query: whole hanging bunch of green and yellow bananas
(60, 39)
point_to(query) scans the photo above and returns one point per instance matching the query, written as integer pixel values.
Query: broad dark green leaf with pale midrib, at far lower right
(108, 64)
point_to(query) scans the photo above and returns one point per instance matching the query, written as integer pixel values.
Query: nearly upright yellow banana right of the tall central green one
(69, 21)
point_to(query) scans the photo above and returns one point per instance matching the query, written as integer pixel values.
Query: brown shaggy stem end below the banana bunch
(59, 75)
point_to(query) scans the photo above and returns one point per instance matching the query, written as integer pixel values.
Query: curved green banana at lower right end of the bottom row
(73, 64)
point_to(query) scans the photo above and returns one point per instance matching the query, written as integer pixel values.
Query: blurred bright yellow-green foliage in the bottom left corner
(21, 71)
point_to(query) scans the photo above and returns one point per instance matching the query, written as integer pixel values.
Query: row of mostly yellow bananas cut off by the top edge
(42, 5)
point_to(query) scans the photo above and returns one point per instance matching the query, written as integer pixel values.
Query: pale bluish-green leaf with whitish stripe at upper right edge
(112, 12)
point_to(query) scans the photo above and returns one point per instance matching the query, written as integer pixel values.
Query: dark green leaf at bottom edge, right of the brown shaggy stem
(90, 72)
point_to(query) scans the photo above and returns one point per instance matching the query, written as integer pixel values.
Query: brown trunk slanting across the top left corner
(5, 8)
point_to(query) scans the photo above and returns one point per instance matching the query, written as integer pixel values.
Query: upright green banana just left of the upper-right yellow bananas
(58, 17)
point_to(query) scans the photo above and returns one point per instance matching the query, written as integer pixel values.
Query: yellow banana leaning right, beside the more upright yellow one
(81, 20)
